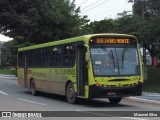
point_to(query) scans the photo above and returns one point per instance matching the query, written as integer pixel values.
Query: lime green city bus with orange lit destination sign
(89, 66)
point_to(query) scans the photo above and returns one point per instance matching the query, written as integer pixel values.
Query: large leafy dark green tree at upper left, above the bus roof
(40, 21)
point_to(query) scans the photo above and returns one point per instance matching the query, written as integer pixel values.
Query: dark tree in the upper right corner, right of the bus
(149, 31)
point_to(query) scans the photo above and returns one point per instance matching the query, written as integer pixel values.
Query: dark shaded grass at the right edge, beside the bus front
(152, 84)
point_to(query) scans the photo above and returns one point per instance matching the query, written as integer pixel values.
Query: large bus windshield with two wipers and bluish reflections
(118, 60)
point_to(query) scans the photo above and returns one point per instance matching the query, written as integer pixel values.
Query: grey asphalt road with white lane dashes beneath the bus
(15, 98)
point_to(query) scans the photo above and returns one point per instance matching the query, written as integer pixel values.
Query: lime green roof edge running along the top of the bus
(69, 40)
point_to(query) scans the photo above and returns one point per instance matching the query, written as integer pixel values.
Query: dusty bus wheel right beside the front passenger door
(70, 93)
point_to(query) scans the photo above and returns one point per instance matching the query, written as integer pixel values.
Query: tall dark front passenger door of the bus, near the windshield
(81, 69)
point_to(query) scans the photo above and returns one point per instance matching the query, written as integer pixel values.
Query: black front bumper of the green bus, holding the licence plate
(103, 92)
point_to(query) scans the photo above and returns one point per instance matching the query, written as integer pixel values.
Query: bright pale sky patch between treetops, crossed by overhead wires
(100, 9)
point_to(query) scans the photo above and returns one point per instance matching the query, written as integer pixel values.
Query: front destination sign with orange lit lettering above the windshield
(112, 40)
